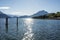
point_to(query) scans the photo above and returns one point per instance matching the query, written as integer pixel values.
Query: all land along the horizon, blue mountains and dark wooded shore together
(39, 15)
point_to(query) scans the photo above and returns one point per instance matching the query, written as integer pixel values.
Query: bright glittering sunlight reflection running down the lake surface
(28, 35)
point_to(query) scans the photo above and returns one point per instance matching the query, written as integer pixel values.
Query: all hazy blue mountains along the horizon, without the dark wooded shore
(39, 13)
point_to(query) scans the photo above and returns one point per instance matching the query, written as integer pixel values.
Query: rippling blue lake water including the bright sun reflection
(29, 29)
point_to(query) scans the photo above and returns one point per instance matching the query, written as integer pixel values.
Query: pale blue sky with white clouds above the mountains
(28, 7)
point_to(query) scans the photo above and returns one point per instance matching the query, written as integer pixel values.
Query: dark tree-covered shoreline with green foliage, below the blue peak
(49, 16)
